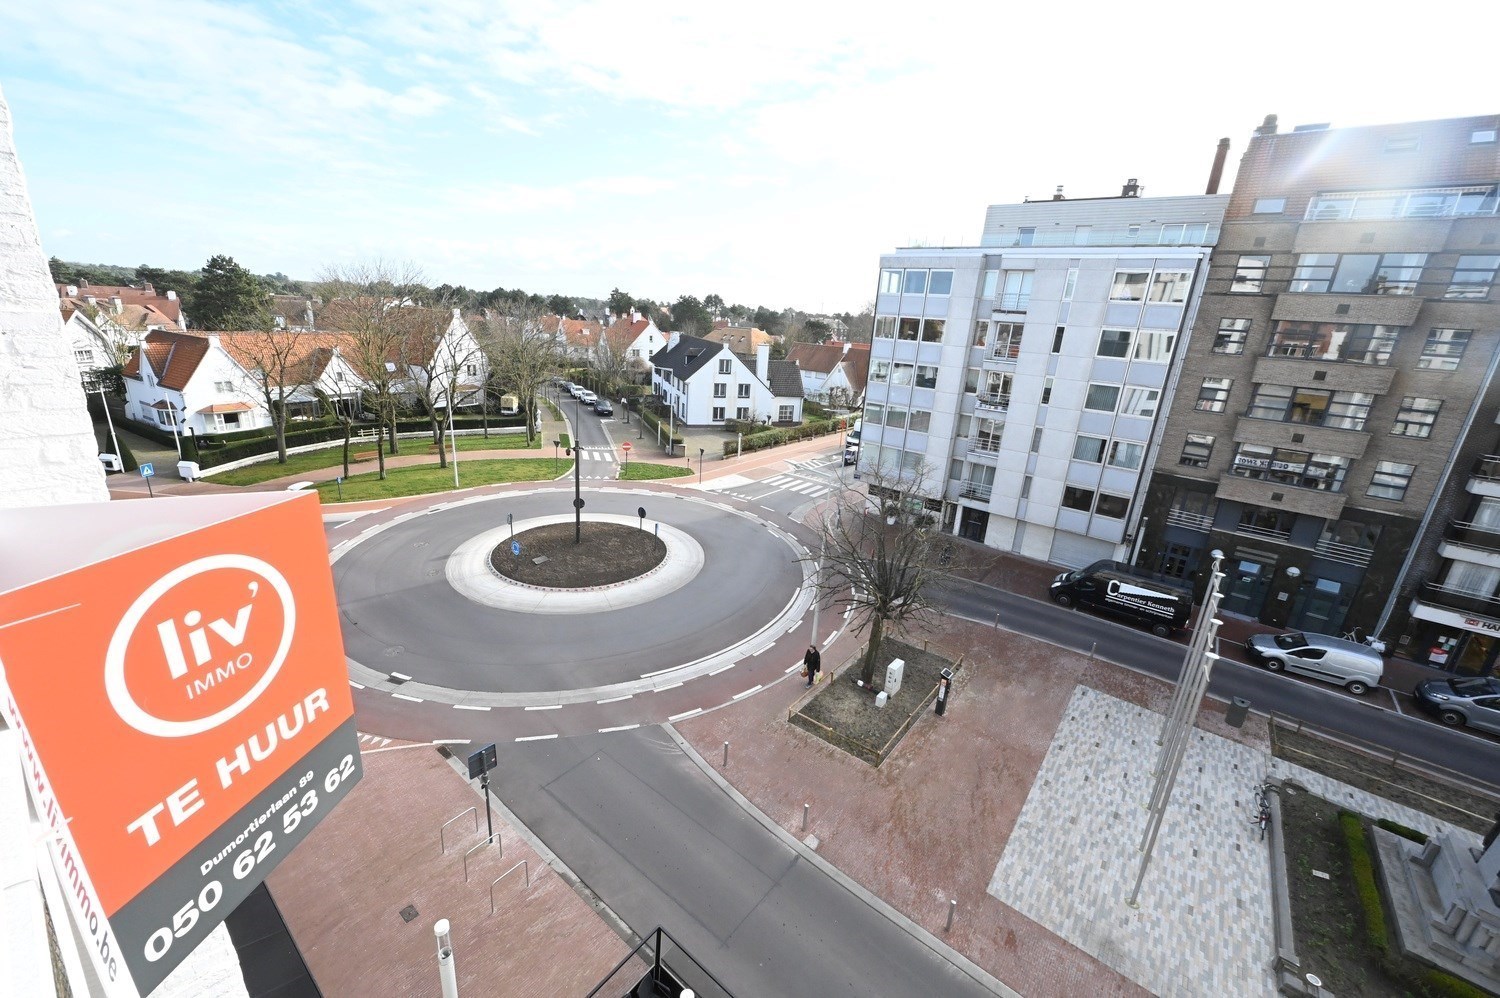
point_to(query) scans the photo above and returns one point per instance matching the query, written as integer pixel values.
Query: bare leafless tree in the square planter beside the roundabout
(883, 556)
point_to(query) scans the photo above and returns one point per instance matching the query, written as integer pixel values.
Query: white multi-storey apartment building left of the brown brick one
(1022, 386)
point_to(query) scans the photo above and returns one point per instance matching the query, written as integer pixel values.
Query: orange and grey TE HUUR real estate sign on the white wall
(176, 673)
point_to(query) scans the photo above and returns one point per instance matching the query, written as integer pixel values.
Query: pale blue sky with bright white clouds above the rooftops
(767, 152)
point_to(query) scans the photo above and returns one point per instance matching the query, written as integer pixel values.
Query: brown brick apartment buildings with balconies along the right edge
(1336, 401)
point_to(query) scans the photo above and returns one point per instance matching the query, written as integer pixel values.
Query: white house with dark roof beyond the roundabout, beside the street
(706, 383)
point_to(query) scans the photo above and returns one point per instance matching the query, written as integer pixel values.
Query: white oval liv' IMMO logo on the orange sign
(200, 646)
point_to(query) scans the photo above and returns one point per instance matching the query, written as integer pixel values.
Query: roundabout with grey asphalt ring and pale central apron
(428, 618)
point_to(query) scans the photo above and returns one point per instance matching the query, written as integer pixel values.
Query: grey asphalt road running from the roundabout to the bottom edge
(664, 846)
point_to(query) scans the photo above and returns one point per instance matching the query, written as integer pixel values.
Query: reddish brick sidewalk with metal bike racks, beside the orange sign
(343, 891)
